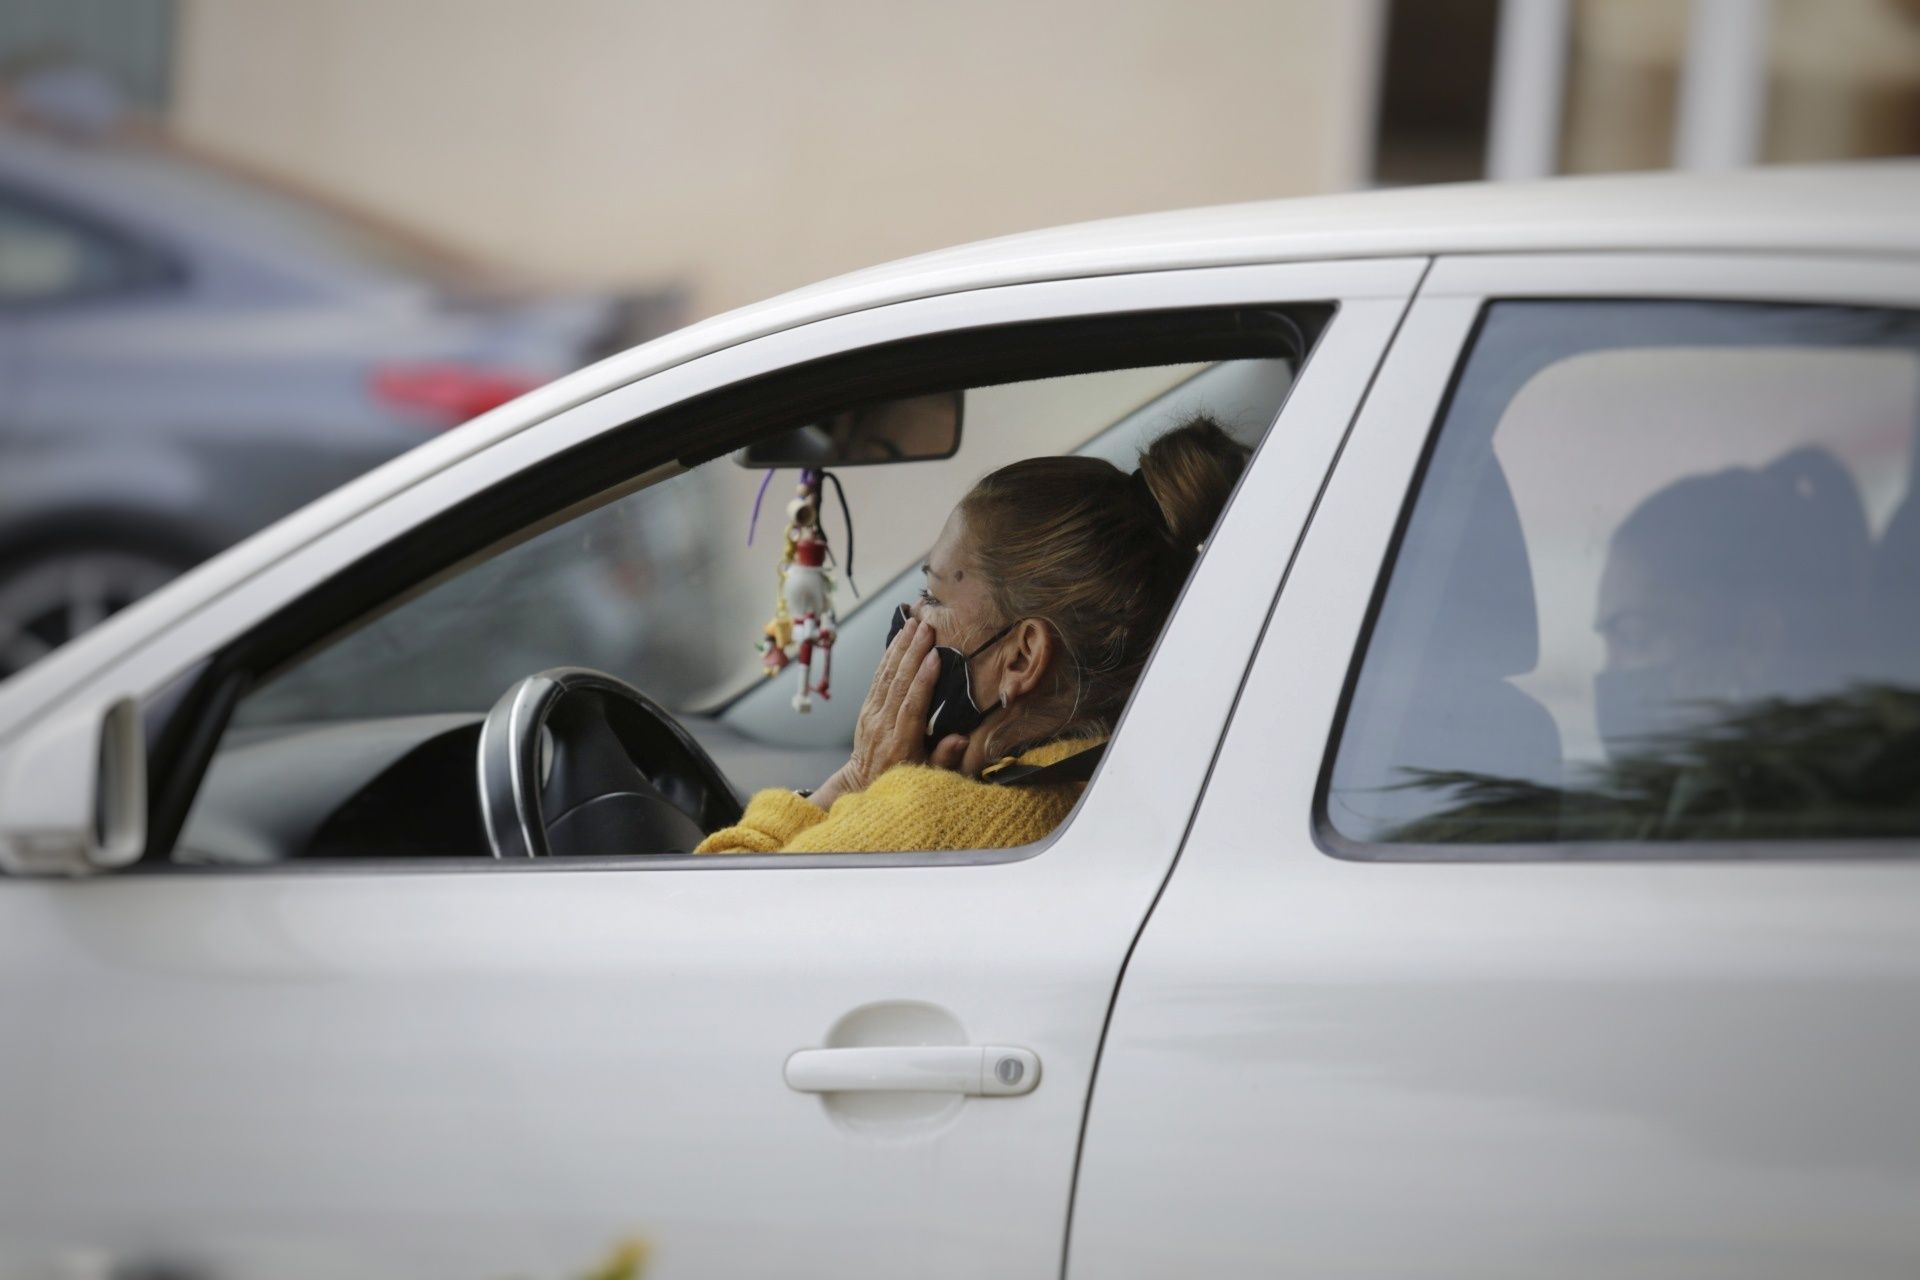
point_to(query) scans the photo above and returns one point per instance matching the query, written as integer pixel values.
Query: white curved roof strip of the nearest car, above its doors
(1861, 208)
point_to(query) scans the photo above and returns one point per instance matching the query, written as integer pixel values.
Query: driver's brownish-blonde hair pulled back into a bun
(1099, 556)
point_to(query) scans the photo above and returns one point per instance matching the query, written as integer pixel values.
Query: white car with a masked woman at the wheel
(1508, 866)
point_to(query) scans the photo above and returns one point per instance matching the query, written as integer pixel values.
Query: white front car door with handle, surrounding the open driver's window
(525, 1070)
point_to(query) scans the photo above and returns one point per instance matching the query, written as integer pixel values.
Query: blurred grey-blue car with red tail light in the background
(189, 352)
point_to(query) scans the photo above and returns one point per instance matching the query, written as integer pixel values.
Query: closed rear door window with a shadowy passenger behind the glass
(1660, 586)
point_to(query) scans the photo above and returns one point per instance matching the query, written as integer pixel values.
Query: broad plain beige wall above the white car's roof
(748, 147)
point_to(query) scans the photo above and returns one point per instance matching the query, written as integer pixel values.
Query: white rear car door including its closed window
(1510, 937)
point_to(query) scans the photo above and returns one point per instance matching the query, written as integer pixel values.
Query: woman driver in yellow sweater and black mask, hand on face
(1047, 588)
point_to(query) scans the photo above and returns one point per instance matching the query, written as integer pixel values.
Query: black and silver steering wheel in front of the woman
(579, 763)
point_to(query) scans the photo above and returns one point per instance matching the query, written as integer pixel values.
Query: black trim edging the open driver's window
(683, 437)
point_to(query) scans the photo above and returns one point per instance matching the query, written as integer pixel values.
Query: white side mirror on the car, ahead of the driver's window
(74, 794)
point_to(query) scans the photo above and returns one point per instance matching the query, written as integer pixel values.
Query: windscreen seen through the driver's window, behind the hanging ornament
(652, 586)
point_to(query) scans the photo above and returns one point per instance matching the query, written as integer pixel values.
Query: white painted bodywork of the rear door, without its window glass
(1499, 1070)
